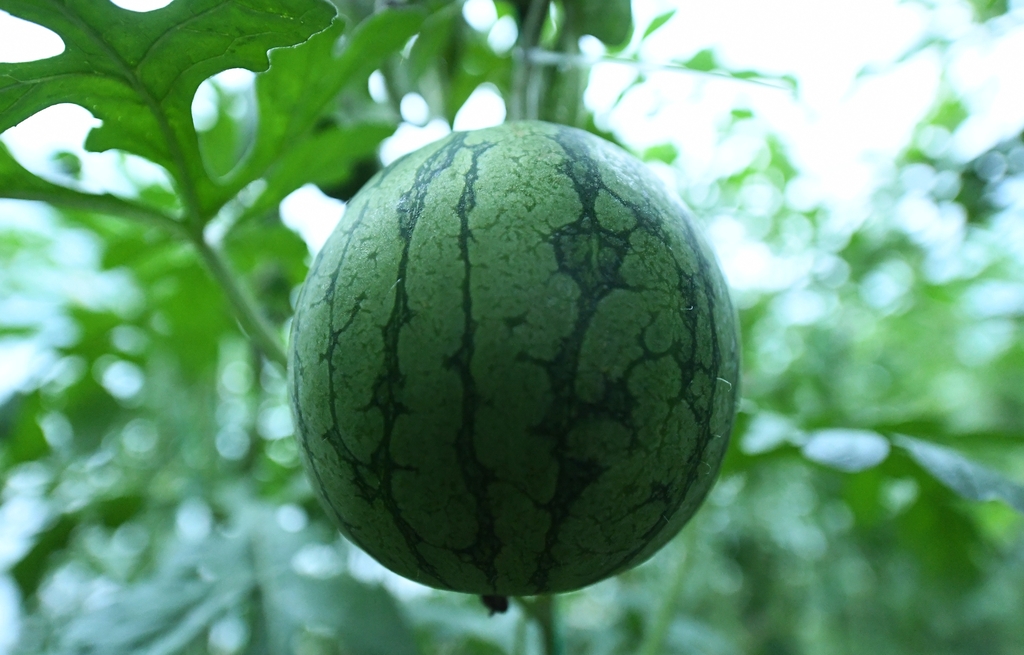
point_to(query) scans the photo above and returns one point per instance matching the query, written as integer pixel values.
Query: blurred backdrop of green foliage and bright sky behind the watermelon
(860, 168)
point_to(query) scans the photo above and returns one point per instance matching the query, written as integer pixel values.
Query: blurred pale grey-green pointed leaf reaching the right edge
(967, 478)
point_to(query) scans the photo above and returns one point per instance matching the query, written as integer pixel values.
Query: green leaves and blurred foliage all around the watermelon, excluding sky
(153, 499)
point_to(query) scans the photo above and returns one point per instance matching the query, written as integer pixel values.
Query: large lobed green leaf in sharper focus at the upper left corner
(139, 72)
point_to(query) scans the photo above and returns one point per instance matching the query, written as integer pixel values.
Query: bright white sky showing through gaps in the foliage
(843, 133)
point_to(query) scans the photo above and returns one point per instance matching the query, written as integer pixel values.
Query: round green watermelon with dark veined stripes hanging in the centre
(515, 365)
